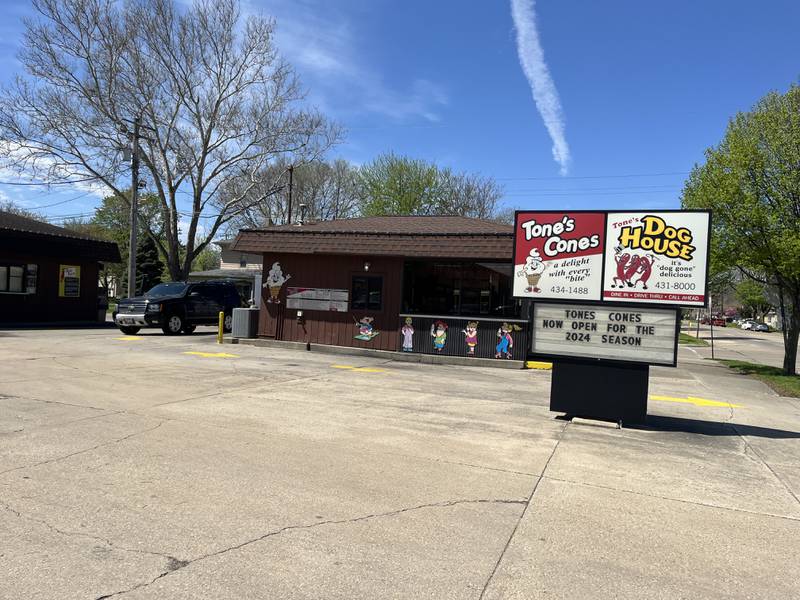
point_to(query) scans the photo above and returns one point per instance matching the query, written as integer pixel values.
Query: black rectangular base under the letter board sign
(600, 390)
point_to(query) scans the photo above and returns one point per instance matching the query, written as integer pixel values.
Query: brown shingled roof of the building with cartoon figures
(412, 236)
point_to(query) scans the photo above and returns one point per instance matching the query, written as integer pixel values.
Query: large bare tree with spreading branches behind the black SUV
(216, 103)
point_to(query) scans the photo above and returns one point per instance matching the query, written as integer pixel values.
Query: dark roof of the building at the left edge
(16, 229)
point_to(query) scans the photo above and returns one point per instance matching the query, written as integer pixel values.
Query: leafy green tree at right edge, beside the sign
(751, 181)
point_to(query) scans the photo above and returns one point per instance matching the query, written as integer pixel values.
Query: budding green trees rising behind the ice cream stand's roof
(398, 185)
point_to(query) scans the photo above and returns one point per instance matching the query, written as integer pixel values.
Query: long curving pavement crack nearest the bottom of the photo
(178, 565)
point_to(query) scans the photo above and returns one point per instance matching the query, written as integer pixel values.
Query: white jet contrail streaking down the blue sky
(531, 58)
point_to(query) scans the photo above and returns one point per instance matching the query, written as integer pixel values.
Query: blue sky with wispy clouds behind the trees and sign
(644, 87)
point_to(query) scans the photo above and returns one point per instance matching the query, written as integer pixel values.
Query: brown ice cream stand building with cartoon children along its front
(427, 284)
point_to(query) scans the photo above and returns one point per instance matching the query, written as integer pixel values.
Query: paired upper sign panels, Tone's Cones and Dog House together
(649, 257)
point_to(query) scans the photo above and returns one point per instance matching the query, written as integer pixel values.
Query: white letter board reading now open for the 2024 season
(642, 335)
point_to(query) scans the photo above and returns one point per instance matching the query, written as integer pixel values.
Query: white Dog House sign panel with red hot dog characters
(657, 257)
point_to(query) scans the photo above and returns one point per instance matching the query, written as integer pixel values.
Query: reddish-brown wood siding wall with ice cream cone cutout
(333, 328)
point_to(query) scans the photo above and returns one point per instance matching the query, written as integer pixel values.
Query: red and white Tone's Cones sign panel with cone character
(559, 255)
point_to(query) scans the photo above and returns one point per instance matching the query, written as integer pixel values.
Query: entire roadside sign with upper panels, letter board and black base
(607, 290)
